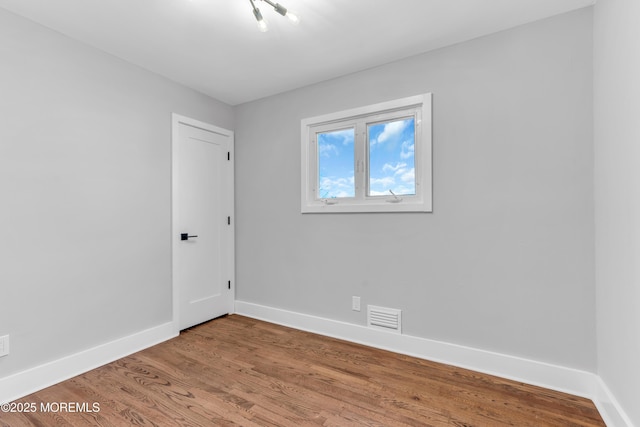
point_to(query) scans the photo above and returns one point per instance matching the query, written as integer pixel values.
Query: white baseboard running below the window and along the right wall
(559, 378)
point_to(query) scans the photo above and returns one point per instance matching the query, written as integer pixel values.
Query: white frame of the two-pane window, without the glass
(419, 107)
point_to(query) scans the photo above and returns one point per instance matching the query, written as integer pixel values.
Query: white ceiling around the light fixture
(214, 46)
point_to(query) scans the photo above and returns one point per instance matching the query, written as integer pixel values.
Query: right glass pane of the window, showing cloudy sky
(391, 157)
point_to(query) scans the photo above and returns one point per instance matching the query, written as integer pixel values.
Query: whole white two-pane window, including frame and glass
(370, 159)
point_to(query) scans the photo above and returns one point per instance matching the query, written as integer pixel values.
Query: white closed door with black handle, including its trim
(202, 221)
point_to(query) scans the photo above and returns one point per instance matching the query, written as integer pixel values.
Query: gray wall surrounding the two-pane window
(505, 262)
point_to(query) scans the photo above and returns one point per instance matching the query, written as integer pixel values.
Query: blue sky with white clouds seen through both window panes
(391, 160)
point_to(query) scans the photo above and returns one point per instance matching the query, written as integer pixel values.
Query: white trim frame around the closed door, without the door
(229, 200)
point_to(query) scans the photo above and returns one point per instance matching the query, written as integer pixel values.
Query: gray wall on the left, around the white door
(85, 186)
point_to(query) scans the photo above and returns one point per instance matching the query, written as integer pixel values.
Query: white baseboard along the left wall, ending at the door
(26, 382)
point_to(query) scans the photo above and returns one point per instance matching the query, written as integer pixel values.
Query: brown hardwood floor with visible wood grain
(239, 371)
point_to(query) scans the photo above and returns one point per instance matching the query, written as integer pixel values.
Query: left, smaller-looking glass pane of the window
(336, 164)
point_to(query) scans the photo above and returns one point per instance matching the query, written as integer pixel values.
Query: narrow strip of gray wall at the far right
(617, 189)
